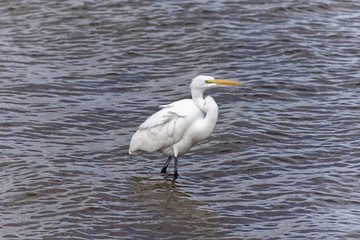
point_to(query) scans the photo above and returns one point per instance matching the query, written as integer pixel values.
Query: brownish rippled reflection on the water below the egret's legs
(175, 213)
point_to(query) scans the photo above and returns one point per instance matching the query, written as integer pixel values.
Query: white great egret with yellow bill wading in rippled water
(180, 125)
